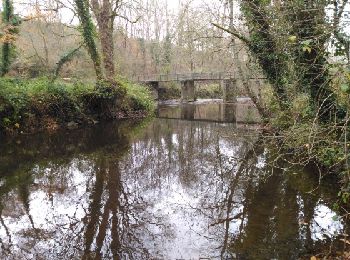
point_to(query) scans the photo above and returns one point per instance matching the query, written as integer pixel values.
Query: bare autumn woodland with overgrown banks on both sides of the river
(68, 63)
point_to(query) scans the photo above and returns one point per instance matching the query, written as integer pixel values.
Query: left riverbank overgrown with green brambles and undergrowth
(33, 105)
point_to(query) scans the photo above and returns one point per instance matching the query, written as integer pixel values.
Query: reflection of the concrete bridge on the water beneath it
(212, 112)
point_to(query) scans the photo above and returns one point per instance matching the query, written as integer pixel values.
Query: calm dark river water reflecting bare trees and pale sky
(190, 184)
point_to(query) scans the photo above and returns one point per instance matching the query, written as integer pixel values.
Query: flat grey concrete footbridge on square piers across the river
(228, 81)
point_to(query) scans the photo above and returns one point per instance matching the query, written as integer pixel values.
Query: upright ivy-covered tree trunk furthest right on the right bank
(312, 64)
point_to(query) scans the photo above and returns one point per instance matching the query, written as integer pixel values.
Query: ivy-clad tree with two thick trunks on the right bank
(288, 40)
